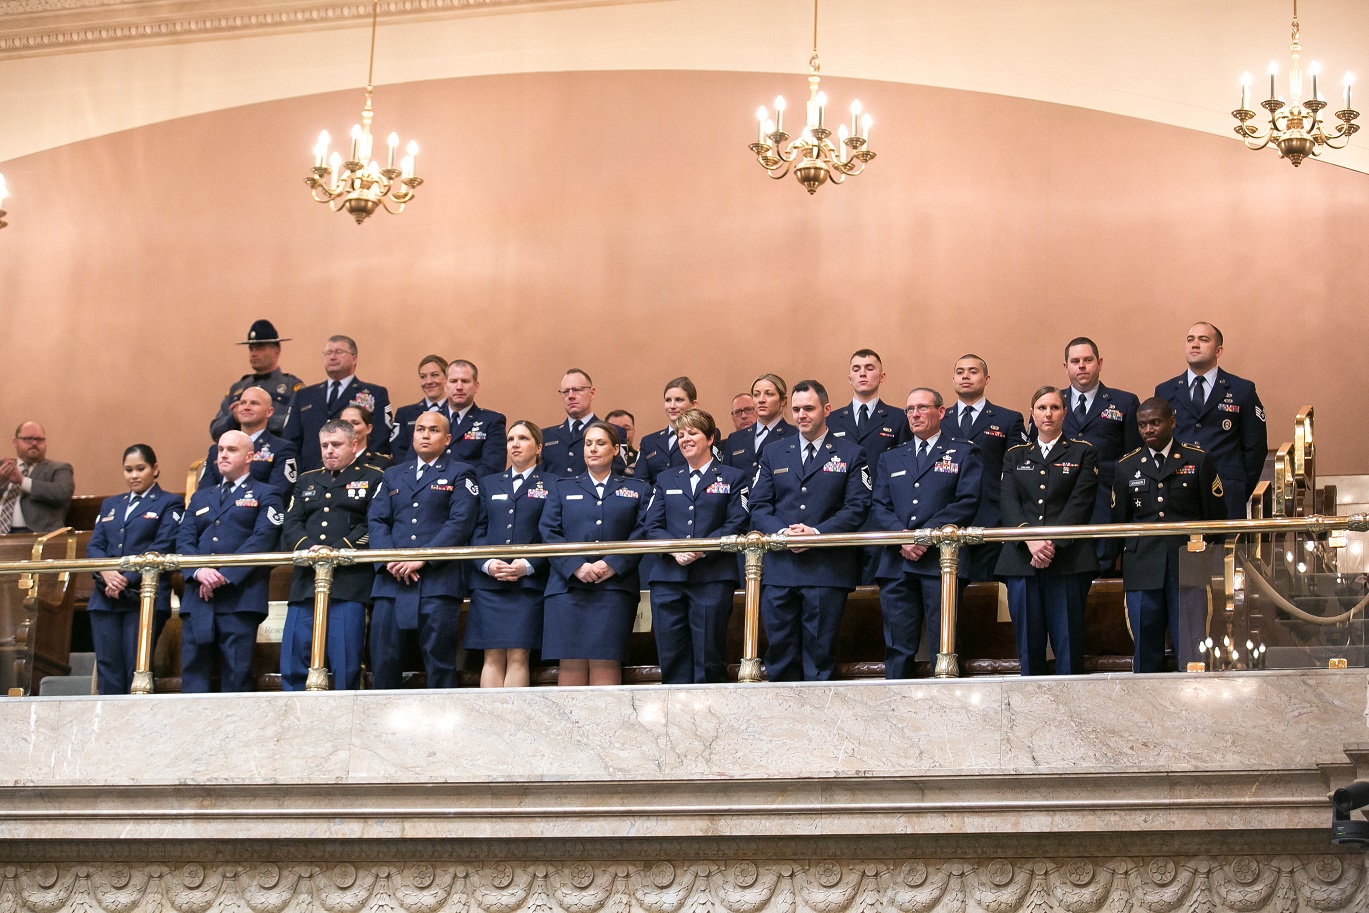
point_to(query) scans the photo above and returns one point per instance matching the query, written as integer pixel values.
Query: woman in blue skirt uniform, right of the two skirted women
(592, 600)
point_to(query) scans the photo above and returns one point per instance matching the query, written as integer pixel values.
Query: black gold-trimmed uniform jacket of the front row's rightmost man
(1188, 488)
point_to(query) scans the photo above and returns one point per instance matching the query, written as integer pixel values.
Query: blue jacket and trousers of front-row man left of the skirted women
(435, 513)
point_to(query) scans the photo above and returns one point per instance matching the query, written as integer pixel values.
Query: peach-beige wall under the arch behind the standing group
(617, 221)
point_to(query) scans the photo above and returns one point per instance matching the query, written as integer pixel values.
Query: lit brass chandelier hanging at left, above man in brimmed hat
(362, 185)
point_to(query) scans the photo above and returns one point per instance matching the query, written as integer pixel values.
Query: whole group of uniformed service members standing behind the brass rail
(328, 466)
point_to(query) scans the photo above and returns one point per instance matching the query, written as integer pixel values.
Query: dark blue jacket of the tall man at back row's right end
(1229, 426)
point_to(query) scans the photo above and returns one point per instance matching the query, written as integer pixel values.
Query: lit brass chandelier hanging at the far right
(1298, 132)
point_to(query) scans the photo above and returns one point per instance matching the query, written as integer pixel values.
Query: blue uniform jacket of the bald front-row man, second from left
(250, 522)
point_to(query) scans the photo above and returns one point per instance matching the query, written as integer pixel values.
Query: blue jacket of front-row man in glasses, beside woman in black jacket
(947, 491)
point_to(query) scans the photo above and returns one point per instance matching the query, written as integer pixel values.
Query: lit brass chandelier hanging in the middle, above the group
(814, 158)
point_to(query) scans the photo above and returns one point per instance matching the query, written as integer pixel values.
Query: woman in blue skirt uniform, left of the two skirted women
(506, 618)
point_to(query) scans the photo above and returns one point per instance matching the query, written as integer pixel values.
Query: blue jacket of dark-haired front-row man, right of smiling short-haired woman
(830, 495)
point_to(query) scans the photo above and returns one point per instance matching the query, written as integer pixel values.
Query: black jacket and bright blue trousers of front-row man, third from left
(329, 510)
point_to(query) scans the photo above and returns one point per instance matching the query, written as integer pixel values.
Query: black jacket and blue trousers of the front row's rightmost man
(1164, 584)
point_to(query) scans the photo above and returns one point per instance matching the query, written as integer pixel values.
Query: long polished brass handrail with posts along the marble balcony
(949, 540)
